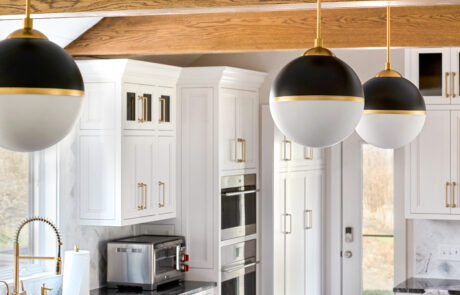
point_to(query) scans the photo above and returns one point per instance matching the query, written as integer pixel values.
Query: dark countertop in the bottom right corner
(422, 285)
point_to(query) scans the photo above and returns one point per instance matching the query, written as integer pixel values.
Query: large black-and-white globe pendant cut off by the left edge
(41, 90)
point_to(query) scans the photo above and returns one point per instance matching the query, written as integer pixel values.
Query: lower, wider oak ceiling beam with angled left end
(237, 32)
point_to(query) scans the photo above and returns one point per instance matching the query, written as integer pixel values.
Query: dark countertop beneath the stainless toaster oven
(182, 288)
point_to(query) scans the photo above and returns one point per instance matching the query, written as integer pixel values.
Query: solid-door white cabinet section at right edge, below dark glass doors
(432, 172)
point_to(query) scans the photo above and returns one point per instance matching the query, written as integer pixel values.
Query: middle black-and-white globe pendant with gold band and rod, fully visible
(317, 100)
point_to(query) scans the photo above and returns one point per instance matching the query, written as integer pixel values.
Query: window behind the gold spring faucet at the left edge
(28, 187)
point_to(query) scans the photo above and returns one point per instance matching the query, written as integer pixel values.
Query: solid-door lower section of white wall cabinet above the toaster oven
(126, 183)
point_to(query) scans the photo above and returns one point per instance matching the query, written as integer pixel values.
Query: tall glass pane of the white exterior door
(378, 228)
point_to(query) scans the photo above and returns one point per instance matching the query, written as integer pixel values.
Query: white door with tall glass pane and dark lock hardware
(368, 222)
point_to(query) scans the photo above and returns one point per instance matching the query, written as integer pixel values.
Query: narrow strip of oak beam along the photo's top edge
(12, 9)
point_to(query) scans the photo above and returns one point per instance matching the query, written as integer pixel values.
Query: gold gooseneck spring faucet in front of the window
(17, 257)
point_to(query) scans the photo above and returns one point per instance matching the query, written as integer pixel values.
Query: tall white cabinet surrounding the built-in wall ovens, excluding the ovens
(219, 117)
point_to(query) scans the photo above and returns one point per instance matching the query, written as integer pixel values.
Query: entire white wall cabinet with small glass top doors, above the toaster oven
(126, 138)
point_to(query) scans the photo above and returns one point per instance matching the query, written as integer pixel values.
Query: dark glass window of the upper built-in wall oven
(238, 210)
